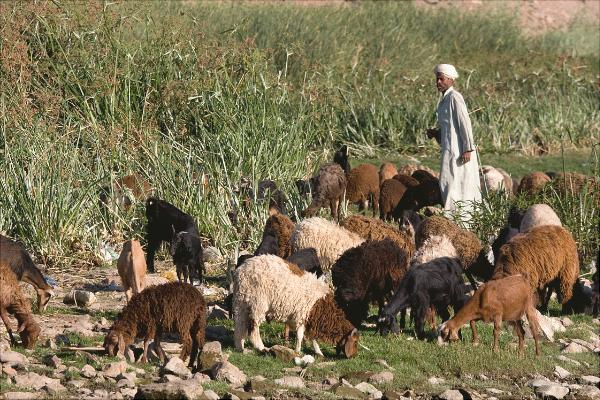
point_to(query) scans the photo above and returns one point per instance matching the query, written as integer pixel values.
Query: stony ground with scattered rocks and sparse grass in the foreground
(68, 361)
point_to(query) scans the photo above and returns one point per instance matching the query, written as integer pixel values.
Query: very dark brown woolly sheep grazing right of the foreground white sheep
(367, 274)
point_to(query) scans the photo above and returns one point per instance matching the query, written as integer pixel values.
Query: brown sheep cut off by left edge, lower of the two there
(13, 301)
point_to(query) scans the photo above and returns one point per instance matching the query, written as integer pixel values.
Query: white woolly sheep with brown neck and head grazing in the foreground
(267, 288)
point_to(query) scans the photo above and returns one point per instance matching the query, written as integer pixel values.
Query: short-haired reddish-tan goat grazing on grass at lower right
(505, 299)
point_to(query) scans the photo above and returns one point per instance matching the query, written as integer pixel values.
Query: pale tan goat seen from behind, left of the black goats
(132, 268)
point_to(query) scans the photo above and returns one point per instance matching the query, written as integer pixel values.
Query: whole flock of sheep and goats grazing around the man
(320, 277)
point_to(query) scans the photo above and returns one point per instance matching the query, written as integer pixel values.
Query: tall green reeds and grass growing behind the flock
(93, 92)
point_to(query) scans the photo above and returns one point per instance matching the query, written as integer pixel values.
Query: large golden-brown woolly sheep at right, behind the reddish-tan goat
(542, 254)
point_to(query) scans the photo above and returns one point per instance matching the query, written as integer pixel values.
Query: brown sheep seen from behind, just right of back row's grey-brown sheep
(363, 187)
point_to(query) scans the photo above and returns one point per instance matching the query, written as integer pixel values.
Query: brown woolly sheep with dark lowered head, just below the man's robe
(471, 254)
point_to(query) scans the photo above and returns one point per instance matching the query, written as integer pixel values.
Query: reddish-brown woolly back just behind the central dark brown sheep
(372, 229)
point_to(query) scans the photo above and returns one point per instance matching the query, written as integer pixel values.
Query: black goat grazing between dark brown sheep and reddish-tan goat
(437, 283)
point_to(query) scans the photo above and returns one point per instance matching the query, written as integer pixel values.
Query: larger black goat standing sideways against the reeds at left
(164, 221)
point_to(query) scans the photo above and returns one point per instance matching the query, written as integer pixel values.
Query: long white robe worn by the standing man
(458, 181)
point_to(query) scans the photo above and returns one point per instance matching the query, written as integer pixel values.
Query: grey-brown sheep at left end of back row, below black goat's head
(330, 186)
